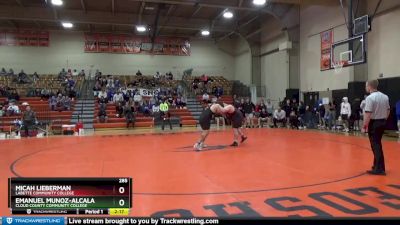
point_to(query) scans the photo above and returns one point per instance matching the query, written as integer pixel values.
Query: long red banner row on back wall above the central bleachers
(109, 43)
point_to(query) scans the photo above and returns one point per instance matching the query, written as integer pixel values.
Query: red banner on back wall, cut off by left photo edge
(24, 38)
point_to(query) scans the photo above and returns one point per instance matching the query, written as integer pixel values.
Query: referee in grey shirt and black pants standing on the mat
(376, 112)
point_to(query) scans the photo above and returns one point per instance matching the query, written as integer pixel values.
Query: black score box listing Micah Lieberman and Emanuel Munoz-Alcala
(68, 194)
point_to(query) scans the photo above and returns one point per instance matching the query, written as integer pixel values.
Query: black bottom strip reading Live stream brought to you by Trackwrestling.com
(230, 221)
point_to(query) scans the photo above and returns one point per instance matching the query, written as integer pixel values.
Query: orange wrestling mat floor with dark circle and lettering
(278, 172)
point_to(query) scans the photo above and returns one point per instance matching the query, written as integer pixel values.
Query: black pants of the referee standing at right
(375, 133)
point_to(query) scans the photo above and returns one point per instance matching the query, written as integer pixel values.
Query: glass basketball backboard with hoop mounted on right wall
(348, 52)
